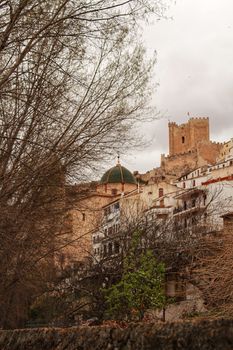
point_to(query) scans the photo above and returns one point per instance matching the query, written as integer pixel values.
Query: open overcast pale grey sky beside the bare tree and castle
(194, 72)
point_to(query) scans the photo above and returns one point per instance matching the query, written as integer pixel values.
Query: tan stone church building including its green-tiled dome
(86, 210)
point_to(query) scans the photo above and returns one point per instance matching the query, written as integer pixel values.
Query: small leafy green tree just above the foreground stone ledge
(140, 288)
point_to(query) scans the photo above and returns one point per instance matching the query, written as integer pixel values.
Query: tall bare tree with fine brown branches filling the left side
(73, 83)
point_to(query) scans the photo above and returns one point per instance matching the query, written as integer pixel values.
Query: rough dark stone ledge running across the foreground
(204, 335)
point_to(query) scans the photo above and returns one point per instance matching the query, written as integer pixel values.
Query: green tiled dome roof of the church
(118, 174)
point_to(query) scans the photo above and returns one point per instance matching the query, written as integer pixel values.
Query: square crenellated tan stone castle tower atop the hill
(186, 137)
